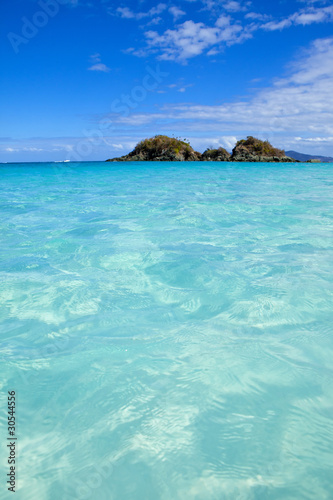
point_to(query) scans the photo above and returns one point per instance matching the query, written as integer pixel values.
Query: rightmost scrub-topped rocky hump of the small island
(255, 150)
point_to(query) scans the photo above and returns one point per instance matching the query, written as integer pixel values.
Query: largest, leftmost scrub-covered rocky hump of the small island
(161, 148)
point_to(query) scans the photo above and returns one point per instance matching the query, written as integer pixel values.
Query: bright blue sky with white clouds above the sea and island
(86, 80)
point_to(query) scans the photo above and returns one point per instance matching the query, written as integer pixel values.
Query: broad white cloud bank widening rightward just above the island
(300, 105)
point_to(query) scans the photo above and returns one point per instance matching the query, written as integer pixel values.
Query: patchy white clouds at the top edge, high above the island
(191, 38)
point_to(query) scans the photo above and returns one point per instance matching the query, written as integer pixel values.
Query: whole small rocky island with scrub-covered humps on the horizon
(164, 148)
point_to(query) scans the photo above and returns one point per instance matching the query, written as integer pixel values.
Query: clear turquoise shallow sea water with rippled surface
(168, 330)
